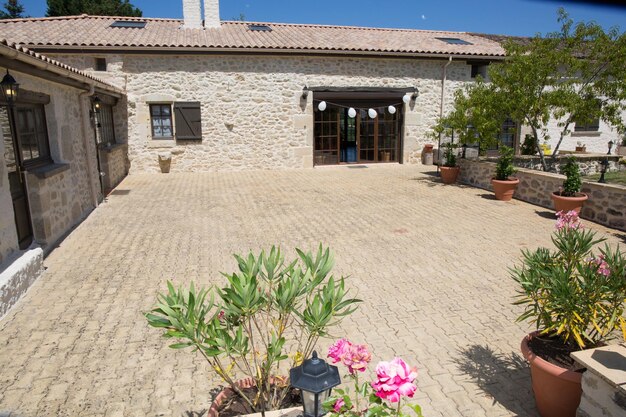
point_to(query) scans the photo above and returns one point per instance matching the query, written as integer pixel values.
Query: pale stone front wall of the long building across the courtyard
(252, 113)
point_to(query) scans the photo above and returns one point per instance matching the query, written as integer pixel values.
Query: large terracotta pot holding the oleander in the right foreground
(557, 390)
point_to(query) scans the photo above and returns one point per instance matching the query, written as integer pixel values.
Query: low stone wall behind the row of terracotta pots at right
(606, 204)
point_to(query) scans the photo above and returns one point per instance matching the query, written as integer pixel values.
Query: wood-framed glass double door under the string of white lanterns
(341, 139)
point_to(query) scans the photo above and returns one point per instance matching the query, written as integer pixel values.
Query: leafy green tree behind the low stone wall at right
(576, 74)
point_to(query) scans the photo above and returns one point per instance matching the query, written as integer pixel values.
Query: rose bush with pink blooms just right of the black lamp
(383, 396)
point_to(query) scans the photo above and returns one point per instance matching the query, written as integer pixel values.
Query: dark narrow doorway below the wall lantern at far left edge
(17, 180)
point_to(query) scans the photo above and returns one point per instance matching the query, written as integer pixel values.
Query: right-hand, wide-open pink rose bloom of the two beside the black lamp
(393, 380)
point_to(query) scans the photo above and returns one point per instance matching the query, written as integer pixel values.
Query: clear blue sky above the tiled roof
(511, 17)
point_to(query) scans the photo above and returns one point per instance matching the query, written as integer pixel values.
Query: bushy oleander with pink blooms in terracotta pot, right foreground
(575, 298)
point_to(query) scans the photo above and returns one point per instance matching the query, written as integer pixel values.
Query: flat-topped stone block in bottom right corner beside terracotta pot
(604, 383)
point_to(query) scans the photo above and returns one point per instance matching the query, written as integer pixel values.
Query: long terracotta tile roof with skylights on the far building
(95, 31)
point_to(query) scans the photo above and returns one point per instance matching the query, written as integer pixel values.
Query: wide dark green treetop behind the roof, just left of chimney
(92, 7)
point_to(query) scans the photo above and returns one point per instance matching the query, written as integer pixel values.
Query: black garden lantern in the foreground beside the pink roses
(315, 379)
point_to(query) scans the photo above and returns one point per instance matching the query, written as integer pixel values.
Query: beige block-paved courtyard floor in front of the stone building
(429, 261)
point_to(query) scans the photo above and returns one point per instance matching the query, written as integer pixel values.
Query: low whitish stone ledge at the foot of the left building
(18, 275)
